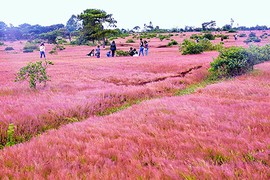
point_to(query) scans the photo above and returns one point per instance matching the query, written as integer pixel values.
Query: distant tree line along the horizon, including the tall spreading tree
(97, 25)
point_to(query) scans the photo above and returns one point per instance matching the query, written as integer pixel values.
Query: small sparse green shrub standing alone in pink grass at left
(34, 73)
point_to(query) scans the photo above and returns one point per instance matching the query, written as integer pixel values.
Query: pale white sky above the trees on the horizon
(128, 13)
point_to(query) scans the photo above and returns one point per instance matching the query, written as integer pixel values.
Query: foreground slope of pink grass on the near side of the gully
(221, 131)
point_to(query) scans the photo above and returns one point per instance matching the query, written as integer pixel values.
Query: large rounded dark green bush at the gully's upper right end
(231, 62)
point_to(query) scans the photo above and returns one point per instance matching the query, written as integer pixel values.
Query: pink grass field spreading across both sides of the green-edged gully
(219, 132)
